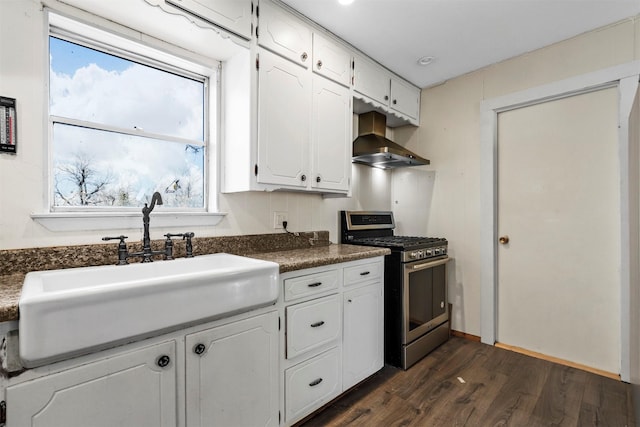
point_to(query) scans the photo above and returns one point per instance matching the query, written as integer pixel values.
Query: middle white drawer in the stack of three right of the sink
(313, 324)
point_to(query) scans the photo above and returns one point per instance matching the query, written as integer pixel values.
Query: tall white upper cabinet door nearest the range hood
(331, 135)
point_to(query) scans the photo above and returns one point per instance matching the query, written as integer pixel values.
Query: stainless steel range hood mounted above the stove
(373, 149)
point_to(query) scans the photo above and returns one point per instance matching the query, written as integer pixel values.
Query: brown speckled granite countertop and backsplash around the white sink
(290, 255)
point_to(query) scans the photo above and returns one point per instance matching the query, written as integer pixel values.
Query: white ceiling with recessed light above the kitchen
(462, 35)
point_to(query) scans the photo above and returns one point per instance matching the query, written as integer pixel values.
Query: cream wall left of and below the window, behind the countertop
(22, 76)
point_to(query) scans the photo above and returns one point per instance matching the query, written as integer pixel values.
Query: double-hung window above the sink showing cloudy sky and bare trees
(125, 120)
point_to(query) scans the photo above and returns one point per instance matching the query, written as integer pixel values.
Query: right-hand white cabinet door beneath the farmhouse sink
(232, 374)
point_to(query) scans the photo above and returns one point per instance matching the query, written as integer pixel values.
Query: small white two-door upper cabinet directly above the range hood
(388, 93)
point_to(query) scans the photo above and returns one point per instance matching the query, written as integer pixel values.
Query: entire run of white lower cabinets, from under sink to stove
(270, 367)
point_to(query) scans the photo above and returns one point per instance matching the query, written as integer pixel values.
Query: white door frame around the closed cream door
(625, 77)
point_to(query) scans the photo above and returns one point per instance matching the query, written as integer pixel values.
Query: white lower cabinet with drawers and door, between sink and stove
(333, 335)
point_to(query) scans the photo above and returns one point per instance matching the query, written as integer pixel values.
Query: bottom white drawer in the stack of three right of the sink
(311, 384)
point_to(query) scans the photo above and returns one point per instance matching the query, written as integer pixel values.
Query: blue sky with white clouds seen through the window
(95, 87)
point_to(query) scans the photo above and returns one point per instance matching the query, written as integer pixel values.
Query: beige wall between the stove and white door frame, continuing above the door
(449, 135)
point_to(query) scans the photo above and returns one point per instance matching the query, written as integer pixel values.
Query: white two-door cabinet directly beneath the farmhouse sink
(216, 374)
